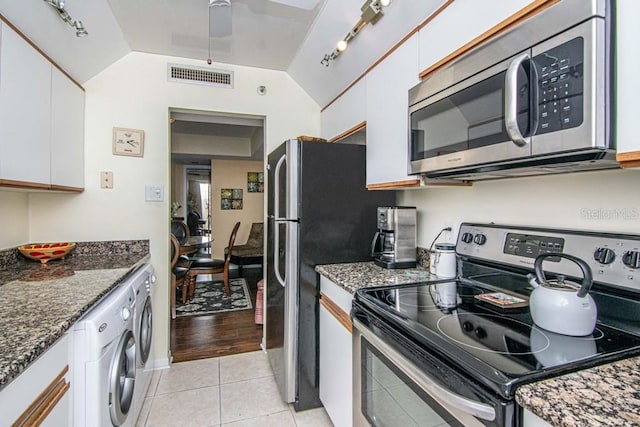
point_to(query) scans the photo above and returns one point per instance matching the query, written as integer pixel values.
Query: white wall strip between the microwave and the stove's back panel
(603, 201)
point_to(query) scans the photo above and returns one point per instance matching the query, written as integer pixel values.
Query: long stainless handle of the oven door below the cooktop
(426, 382)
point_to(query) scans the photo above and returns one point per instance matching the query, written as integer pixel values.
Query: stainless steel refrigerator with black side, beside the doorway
(319, 212)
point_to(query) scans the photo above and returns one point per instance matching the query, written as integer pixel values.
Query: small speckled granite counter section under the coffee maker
(356, 275)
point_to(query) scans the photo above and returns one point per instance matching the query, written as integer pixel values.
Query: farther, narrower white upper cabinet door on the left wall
(67, 132)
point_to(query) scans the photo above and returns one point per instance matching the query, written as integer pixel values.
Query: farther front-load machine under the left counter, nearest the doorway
(142, 329)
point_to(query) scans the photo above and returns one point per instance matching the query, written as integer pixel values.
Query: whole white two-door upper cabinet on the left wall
(41, 120)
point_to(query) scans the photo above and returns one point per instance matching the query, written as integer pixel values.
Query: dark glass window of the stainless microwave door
(470, 118)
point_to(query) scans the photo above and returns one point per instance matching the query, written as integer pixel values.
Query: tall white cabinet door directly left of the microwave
(387, 111)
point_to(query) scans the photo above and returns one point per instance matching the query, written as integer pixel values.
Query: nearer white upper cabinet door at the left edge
(25, 111)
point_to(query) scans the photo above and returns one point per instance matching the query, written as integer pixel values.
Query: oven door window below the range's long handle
(390, 398)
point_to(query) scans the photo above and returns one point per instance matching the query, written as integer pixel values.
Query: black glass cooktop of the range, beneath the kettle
(500, 347)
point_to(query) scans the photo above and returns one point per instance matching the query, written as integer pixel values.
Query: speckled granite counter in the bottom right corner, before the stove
(604, 395)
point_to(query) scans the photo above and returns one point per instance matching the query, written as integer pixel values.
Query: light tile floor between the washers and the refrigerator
(237, 391)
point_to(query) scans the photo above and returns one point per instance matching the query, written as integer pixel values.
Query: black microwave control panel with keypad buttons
(560, 87)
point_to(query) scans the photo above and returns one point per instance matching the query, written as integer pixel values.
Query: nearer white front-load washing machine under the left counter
(105, 361)
